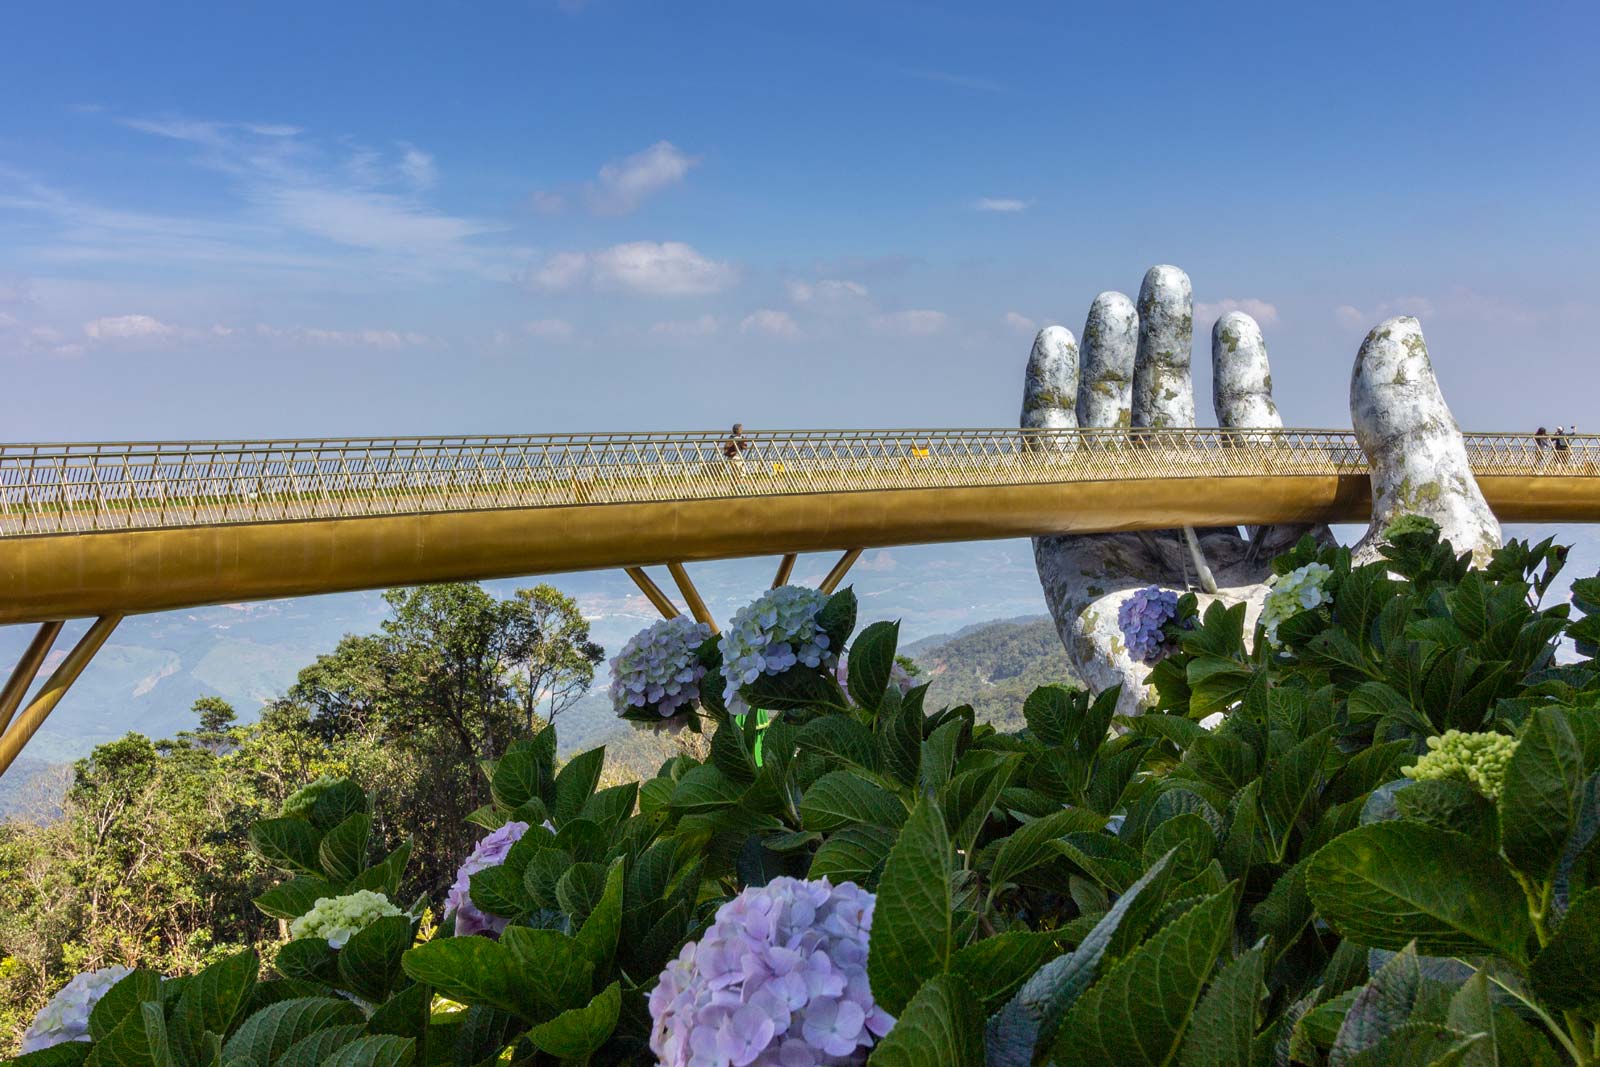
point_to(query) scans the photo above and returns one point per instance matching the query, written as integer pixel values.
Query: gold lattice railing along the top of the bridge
(68, 489)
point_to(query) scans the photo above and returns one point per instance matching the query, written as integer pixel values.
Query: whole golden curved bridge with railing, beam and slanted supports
(118, 529)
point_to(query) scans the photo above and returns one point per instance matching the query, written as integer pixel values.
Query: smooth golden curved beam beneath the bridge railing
(127, 572)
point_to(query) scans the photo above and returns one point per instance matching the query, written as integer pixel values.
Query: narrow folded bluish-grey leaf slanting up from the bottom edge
(1026, 1028)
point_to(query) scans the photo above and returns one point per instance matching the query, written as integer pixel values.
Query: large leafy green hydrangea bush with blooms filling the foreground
(1246, 874)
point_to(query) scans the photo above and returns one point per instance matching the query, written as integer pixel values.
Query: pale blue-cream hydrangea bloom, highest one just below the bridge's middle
(769, 637)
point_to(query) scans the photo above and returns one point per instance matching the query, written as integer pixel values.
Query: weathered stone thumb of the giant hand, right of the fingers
(1415, 449)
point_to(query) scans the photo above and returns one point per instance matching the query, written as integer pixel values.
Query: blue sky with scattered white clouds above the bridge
(410, 218)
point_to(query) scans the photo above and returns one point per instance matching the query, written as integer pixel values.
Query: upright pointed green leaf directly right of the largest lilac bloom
(914, 919)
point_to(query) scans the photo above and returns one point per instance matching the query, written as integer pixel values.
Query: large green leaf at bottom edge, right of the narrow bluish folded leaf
(1140, 1012)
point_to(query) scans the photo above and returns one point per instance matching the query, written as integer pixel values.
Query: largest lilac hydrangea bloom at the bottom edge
(780, 980)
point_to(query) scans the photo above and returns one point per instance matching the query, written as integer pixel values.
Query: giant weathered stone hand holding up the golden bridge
(1134, 372)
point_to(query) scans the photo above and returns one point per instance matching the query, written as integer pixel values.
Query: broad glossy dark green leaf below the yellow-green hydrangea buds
(1390, 884)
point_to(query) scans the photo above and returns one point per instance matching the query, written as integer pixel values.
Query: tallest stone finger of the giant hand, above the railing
(1162, 390)
